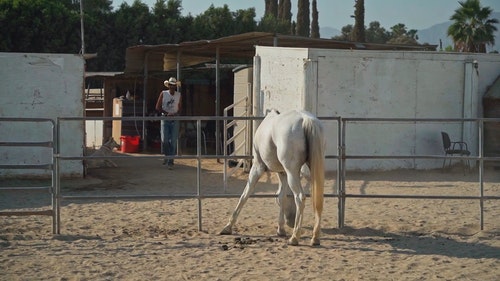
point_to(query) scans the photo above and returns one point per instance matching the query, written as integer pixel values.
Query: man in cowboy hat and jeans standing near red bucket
(169, 104)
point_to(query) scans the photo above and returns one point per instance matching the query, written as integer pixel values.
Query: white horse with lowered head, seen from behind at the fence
(283, 143)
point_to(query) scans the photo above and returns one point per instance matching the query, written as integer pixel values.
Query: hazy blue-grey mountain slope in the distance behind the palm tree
(433, 34)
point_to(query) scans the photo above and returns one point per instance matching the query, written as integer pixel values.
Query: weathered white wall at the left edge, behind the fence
(41, 86)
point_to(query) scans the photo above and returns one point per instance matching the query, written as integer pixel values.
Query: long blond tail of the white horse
(316, 161)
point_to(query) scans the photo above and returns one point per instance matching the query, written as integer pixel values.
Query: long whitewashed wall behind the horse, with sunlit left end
(381, 84)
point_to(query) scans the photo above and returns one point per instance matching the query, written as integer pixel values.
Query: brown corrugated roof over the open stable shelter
(164, 57)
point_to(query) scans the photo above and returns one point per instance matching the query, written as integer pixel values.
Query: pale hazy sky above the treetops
(415, 14)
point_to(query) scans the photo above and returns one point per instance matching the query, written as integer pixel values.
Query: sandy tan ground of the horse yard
(158, 239)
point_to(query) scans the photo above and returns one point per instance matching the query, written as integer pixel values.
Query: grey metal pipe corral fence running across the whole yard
(341, 158)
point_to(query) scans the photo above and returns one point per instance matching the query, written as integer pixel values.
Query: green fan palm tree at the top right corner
(472, 28)
